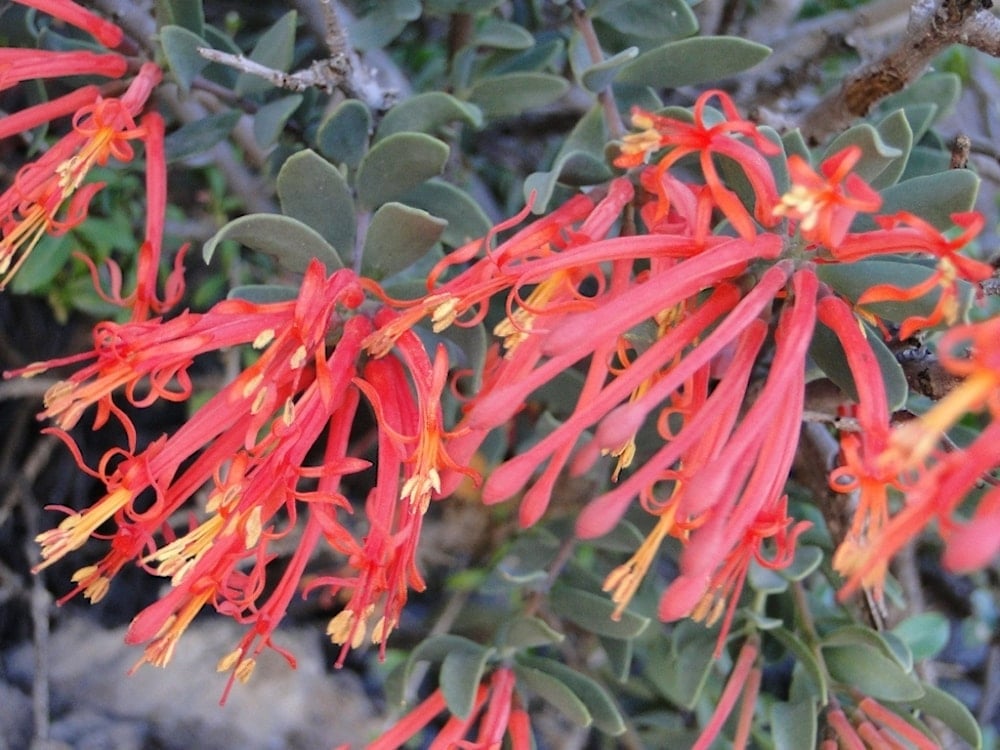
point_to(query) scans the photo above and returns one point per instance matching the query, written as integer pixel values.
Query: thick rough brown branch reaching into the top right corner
(933, 25)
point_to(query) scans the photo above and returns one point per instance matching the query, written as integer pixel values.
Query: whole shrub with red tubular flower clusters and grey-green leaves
(653, 321)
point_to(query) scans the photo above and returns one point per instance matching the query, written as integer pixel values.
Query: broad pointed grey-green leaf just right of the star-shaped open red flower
(934, 198)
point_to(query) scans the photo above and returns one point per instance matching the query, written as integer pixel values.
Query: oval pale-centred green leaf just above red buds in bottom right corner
(867, 669)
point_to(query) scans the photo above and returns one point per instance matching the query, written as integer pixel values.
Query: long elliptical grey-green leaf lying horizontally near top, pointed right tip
(691, 61)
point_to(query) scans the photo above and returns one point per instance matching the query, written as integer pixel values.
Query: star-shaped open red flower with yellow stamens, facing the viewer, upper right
(824, 204)
